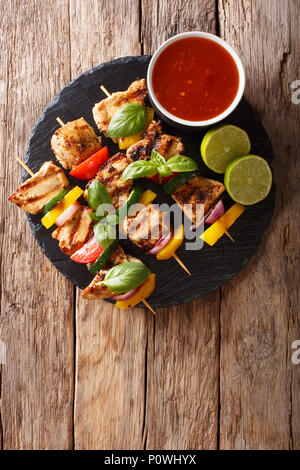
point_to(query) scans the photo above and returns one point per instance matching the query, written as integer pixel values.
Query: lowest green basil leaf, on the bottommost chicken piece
(126, 276)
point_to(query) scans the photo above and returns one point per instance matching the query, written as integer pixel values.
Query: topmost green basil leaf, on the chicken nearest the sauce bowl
(128, 120)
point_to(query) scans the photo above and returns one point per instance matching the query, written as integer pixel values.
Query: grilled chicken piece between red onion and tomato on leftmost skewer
(75, 232)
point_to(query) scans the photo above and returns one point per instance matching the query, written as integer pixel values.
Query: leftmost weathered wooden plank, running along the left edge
(36, 321)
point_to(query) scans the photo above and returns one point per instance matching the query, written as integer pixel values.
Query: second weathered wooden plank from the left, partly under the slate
(110, 344)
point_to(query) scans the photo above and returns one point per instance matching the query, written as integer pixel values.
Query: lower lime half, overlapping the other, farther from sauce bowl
(248, 180)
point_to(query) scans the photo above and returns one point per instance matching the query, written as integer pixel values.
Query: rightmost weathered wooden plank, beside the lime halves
(260, 402)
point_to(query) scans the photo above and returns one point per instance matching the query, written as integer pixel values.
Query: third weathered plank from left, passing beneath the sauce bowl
(183, 343)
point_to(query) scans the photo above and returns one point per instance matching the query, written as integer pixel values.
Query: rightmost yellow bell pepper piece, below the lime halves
(217, 230)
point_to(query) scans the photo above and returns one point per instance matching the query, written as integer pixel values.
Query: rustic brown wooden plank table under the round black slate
(215, 373)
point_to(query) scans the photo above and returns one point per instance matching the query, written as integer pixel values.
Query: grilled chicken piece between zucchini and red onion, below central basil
(147, 227)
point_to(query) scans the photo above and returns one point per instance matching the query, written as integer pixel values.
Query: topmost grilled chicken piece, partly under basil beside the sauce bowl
(104, 111)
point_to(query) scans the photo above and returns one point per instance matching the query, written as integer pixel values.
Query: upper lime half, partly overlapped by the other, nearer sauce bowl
(221, 145)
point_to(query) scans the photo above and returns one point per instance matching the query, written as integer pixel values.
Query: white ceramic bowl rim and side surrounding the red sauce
(193, 125)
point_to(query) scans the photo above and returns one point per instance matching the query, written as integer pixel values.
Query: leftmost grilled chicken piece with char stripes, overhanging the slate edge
(40, 188)
